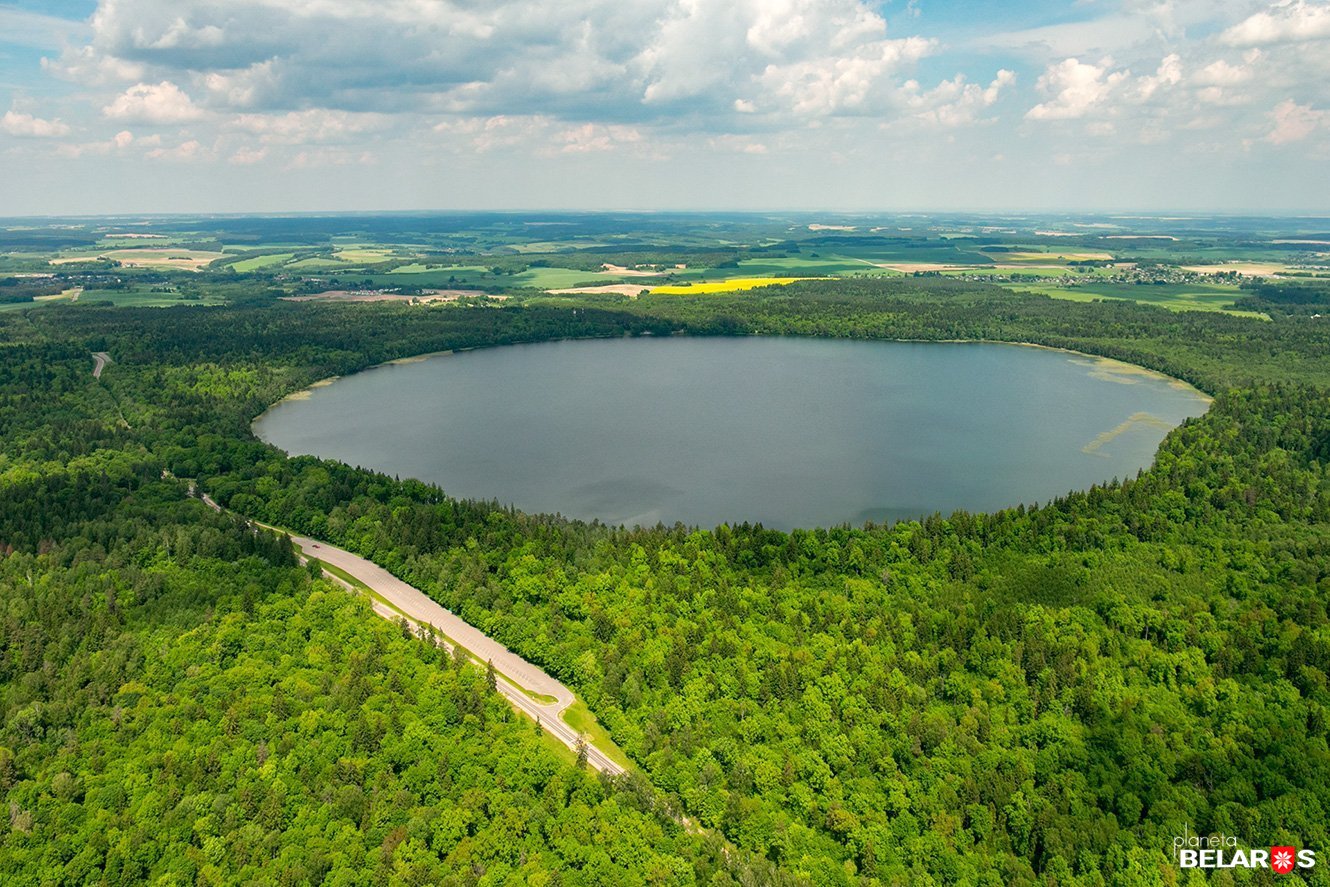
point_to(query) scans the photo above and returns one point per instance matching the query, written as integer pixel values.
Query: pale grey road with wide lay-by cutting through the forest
(517, 678)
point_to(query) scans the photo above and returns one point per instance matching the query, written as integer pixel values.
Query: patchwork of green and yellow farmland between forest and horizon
(1167, 264)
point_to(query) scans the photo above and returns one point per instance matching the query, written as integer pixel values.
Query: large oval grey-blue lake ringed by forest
(785, 432)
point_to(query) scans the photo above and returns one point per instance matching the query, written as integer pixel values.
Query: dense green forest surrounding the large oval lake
(1037, 696)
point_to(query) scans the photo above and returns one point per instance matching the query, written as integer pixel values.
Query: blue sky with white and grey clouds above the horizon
(839, 106)
